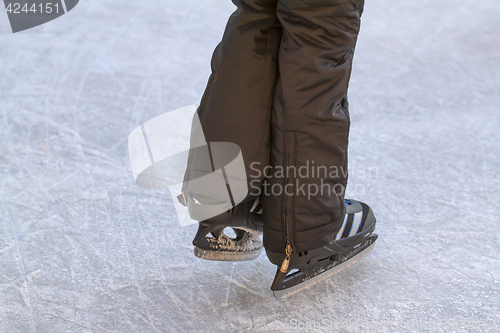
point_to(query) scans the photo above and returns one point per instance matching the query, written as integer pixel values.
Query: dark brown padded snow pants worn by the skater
(278, 90)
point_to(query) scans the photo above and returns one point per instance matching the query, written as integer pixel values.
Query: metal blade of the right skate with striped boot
(282, 294)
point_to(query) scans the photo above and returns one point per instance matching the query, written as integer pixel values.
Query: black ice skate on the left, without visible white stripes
(231, 236)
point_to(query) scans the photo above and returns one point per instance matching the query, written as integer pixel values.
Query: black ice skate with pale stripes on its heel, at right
(353, 242)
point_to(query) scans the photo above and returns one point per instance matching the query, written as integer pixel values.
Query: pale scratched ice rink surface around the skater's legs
(84, 249)
